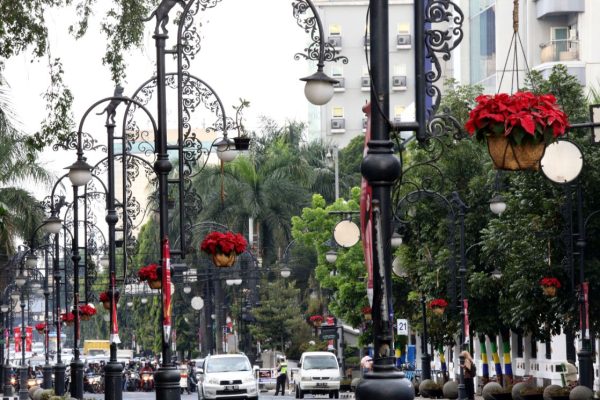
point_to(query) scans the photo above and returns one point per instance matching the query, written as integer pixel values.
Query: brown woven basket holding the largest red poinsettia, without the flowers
(512, 157)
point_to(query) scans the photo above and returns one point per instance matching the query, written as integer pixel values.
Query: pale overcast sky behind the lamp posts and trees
(247, 52)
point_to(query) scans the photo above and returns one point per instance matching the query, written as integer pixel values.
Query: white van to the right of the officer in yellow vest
(318, 373)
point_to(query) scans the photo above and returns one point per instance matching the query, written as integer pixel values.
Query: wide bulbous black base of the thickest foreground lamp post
(385, 383)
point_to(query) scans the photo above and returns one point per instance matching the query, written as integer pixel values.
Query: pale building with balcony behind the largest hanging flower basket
(550, 32)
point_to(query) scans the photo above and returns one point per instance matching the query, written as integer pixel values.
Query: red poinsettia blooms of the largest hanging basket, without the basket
(522, 116)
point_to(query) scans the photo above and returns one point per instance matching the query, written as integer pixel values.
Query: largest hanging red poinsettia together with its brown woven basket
(517, 127)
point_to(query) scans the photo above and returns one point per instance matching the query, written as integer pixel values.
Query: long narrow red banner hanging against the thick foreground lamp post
(366, 214)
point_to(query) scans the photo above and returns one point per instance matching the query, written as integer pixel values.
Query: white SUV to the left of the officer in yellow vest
(227, 376)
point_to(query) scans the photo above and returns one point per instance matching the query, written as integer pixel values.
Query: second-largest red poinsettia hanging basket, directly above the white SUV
(223, 247)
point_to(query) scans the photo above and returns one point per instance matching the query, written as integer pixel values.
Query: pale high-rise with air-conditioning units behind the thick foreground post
(345, 25)
